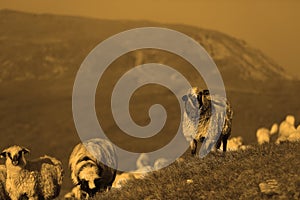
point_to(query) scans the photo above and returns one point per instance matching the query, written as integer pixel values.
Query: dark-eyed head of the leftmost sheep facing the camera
(15, 155)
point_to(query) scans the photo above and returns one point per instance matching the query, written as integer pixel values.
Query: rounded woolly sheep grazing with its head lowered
(88, 166)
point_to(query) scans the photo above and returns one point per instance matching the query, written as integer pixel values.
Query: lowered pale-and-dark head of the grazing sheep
(89, 179)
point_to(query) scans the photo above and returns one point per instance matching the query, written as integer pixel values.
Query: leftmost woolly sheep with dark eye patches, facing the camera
(37, 179)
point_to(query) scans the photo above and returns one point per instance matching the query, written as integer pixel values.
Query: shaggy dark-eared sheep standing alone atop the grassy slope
(202, 117)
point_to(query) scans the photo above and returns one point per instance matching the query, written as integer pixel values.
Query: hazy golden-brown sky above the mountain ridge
(272, 26)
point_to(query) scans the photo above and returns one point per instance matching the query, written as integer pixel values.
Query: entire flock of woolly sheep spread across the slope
(203, 121)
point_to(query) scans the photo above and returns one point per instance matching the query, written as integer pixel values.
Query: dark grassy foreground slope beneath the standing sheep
(234, 176)
